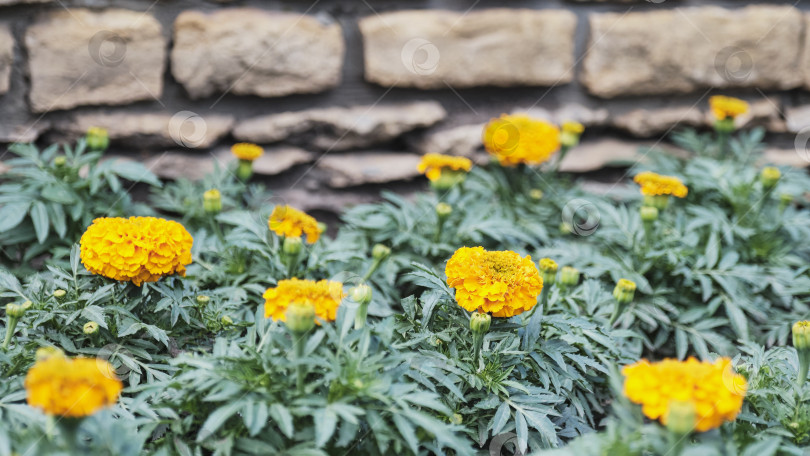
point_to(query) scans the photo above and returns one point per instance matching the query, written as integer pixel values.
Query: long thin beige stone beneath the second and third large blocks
(341, 128)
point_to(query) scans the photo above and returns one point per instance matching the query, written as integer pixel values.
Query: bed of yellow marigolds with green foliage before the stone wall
(506, 311)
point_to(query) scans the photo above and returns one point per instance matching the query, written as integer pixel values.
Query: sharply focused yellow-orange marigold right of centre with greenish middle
(503, 283)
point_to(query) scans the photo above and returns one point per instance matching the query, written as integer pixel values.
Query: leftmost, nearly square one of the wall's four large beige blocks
(80, 57)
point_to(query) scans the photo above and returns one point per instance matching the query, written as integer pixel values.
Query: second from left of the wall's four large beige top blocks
(250, 51)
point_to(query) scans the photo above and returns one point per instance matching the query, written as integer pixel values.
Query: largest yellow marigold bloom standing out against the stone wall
(520, 139)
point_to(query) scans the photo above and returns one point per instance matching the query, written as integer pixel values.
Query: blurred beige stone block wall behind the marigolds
(345, 94)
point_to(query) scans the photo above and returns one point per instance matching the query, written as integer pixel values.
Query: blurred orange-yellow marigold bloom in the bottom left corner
(71, 387)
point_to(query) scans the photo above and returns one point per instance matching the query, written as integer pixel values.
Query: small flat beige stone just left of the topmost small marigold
(650, 122)
